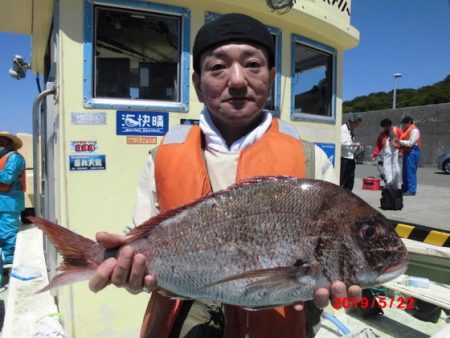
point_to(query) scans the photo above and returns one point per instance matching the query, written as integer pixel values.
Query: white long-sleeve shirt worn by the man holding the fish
(221, 163)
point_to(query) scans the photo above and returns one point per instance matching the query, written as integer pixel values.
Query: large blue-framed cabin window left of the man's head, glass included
(139, 58)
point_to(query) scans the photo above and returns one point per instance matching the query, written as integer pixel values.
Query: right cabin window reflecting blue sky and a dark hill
(313, 81)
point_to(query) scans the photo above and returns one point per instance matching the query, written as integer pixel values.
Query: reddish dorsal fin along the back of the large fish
(144, 228)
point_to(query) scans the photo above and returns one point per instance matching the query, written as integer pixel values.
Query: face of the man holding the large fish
(234, 83)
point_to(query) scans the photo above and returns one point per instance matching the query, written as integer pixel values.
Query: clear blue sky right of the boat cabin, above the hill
(410, 37)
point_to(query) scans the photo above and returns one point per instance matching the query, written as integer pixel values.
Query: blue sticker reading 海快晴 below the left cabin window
(142, 123)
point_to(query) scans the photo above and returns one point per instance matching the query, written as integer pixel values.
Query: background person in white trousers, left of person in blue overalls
(385, 148)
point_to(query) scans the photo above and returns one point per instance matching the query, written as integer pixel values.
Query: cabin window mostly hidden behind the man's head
(273, 100)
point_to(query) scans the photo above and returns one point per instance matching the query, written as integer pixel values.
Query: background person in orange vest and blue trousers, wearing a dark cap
(410, 143)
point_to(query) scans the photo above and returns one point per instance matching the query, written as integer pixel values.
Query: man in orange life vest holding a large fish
(233, 59)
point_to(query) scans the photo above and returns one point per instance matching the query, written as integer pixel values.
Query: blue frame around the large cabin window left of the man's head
(89, 101)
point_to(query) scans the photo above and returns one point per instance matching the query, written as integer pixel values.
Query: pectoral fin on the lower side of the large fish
(274, 278)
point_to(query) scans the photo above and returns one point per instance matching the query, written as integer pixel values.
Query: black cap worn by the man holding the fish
(233, 27)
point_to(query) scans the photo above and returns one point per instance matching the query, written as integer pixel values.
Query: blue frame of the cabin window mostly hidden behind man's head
(278, 44)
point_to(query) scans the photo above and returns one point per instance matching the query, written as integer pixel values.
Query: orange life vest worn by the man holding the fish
(276, 153)
